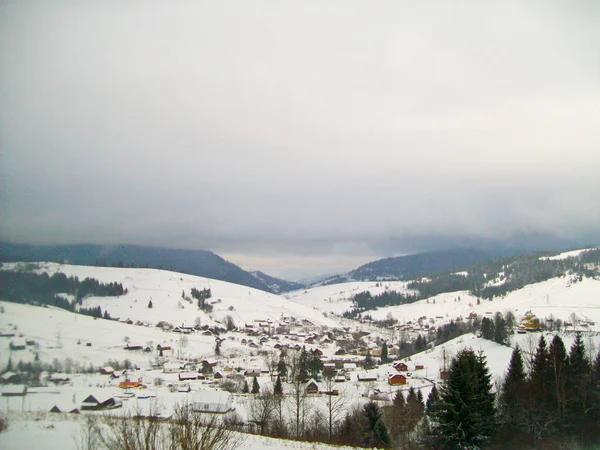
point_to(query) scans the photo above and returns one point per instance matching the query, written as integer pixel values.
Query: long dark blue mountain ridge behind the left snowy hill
(194, 262)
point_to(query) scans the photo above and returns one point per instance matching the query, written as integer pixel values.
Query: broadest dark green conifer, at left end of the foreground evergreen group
(465, 414)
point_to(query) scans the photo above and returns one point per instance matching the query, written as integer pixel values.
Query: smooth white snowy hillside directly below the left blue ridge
(165, 289)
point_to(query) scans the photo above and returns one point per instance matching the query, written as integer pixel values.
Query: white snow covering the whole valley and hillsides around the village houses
(58, 335)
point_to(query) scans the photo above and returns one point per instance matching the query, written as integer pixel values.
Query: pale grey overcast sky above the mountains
(298, 137)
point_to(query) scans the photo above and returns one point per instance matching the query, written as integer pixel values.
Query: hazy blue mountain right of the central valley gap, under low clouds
(412, 266)
